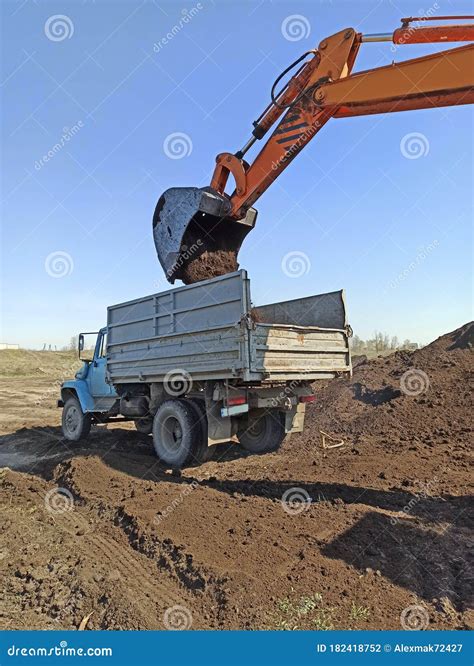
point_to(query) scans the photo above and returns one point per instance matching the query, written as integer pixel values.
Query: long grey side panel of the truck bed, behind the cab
(194, 328)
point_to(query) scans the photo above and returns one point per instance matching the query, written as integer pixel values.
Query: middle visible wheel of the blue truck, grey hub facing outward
(175, 435)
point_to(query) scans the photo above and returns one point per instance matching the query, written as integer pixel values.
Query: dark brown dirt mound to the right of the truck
(416, 400)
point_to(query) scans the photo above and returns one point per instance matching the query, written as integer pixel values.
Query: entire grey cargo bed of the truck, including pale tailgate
(210, 331)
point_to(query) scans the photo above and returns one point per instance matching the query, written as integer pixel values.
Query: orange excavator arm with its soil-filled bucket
(198, 232)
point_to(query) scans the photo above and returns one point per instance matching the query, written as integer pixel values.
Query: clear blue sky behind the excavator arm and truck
(395, 232)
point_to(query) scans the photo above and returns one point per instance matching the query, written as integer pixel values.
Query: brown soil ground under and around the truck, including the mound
(388, 525)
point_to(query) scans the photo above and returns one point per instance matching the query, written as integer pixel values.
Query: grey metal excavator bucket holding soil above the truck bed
(194, 236)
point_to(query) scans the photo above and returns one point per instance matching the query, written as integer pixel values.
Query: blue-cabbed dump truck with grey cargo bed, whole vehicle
(197, 365)
